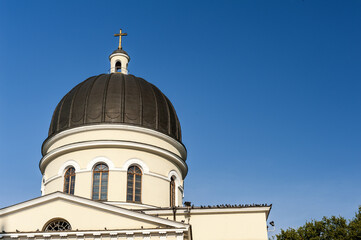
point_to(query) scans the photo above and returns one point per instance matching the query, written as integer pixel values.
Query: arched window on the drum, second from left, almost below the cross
(100, 182)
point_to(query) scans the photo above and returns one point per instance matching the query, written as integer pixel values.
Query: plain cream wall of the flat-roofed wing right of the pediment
(222, 223)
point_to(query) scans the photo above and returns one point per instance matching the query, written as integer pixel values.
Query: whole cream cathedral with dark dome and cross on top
(113, 168)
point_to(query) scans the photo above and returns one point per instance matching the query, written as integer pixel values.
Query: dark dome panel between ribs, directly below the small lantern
(113, 99)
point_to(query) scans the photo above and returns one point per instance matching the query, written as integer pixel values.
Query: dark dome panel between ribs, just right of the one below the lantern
(132, 105)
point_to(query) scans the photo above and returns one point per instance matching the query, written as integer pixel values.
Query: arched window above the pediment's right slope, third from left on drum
(134, 185)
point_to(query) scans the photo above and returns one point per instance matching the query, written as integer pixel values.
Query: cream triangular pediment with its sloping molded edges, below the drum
(81, 213)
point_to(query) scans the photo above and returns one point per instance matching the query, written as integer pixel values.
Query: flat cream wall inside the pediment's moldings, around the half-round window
(79, 216)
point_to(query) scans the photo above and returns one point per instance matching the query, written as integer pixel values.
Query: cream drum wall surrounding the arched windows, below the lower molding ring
(155, 178)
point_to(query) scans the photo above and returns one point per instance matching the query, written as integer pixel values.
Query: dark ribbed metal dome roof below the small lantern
(116, 99)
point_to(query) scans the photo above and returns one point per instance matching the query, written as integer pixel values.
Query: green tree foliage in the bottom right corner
(333, 228)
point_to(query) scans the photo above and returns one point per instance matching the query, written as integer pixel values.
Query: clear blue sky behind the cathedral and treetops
(268, 92)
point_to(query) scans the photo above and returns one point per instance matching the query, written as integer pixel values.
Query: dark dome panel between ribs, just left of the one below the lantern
(95, 101)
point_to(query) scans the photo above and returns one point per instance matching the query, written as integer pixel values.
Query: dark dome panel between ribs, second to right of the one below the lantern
(149, 112)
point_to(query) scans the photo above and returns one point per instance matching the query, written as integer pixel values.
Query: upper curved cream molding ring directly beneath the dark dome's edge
(179, 146)
